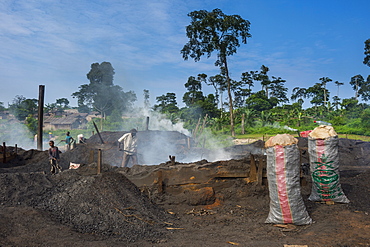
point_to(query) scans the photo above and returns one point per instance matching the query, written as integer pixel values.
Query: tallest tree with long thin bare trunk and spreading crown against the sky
(216, 32)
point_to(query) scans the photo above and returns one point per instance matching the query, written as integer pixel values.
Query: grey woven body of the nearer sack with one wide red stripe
(283, 174)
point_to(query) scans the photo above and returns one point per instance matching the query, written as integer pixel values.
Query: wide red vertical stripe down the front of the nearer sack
(281, 184)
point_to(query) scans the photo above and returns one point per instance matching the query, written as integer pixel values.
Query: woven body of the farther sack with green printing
(324, 167)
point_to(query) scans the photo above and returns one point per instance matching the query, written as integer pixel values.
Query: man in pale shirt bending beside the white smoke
(129, 141)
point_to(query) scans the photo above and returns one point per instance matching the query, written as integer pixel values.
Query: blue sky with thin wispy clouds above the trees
(54, 42)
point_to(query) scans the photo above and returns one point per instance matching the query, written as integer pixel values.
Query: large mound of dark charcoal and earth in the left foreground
(107, 204)
